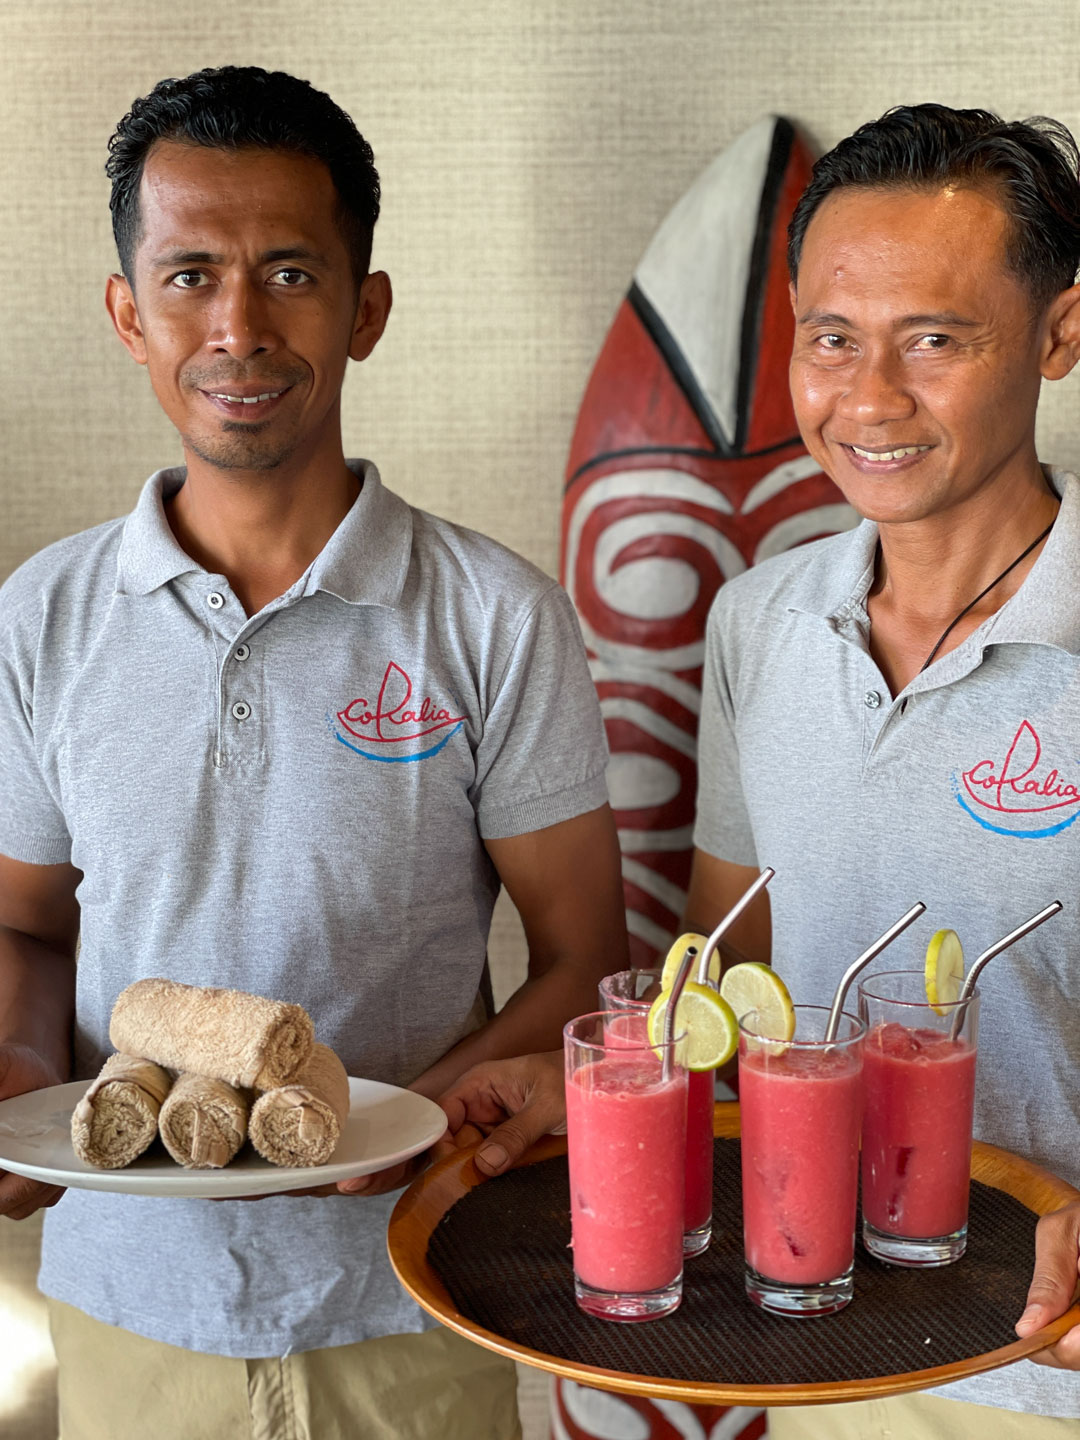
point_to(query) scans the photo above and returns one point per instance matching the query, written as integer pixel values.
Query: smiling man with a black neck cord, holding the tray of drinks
(892, 715)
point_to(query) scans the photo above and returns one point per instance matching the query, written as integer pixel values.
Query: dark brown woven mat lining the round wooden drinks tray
(502, 1252)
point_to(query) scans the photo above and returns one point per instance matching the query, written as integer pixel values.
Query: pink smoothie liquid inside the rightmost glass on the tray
(917, 1133)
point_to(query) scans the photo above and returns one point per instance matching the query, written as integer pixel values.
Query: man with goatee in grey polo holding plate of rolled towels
(282, 732)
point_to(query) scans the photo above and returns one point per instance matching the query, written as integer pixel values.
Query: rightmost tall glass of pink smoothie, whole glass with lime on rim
(917, 1131)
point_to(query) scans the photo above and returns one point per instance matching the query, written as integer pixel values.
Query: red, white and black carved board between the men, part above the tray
(663, 506)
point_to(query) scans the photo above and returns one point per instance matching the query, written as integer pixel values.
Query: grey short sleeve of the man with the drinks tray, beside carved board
(722, 827)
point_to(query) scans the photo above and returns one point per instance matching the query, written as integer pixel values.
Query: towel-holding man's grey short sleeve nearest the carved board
(544, 754)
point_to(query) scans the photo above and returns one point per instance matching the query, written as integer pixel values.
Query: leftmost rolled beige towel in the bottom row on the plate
(117, 1118)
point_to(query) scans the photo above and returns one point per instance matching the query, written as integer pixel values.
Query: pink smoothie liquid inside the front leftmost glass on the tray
(627, 1138)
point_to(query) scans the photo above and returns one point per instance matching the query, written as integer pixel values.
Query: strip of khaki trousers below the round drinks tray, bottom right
(915, 1418)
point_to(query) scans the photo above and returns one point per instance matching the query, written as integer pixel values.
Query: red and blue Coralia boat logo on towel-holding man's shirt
(395, 728)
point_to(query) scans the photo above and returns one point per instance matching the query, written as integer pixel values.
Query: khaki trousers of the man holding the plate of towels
(117, 1386)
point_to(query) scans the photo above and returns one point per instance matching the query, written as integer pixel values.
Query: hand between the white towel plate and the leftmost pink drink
(513, 1102)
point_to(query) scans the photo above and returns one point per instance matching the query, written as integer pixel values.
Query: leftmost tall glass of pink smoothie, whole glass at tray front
(626, 1127)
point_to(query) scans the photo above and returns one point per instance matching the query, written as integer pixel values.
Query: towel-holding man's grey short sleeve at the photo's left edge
(32, 827)
